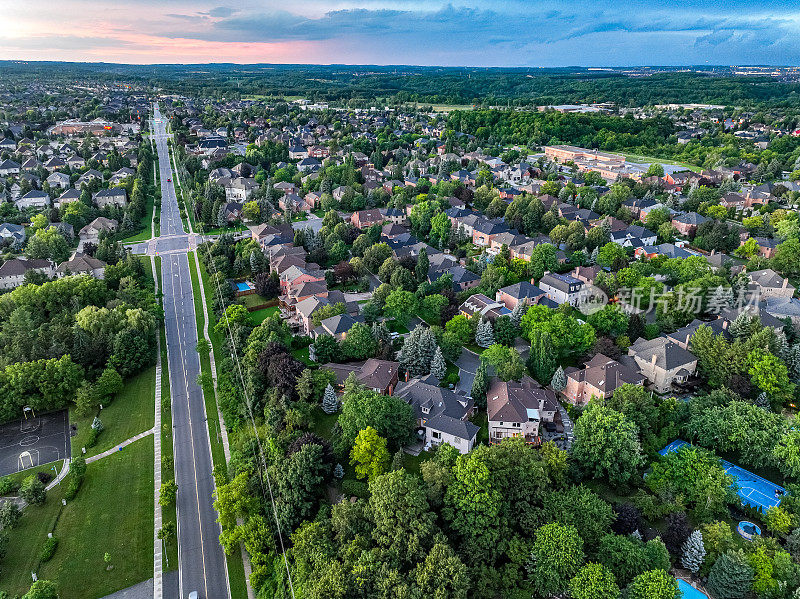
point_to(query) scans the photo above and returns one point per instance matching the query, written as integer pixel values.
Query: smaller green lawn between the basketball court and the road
(131, 413)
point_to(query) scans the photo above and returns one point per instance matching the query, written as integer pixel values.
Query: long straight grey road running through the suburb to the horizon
(201, 561)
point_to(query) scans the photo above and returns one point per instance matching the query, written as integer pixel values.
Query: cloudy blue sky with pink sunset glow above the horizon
(480, 33)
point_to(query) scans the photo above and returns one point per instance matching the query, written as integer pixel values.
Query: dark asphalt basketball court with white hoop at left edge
(34, 441)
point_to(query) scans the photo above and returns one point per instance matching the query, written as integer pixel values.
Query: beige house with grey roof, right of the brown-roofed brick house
(663, 362)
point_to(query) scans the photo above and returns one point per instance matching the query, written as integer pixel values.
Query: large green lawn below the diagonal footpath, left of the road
(113, 513)
